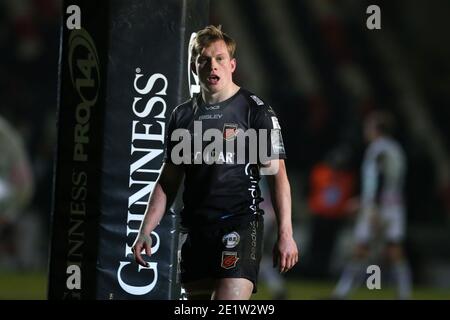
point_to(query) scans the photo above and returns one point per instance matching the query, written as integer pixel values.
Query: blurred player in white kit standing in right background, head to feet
(382, 216)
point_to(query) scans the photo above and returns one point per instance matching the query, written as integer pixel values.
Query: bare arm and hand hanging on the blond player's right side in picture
(285, 252)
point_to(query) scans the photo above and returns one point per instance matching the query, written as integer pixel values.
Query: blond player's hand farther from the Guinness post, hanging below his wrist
(285, 253)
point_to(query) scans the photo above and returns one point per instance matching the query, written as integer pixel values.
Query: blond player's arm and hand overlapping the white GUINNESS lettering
(163, 194)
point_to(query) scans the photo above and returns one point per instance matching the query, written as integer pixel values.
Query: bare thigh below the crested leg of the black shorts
(233, 289)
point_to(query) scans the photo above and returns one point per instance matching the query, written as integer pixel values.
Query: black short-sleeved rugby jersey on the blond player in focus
(226, 189)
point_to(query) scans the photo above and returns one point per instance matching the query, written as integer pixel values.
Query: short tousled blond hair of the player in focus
(209, 35)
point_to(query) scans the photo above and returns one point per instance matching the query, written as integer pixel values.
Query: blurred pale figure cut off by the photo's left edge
(18, 230)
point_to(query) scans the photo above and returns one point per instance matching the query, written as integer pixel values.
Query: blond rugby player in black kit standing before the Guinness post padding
(221, 215)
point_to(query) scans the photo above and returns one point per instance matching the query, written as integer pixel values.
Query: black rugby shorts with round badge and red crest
(231, 251)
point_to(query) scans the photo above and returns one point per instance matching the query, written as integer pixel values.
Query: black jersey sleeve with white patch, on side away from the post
(265, 118)
